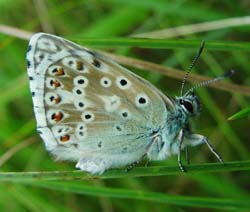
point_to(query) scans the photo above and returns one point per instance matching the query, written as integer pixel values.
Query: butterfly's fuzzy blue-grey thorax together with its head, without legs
(176, 125)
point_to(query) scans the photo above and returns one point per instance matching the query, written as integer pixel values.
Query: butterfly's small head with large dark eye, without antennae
(190, 104)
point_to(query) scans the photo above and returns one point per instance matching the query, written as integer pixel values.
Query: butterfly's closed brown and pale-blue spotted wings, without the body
(86, 104)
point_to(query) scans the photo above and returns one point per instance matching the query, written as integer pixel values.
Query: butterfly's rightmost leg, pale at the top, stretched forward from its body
(196, 139)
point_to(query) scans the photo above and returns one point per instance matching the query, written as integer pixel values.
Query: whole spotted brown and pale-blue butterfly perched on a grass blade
(94, 112)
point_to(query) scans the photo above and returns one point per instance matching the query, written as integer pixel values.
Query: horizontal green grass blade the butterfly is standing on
(155, 170)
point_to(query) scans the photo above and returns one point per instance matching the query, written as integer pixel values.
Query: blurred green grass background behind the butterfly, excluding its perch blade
(22, 149)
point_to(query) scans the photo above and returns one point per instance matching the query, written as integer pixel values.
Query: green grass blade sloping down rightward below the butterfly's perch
(205, 202)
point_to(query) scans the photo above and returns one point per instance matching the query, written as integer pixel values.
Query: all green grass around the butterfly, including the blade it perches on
(32, 181)
